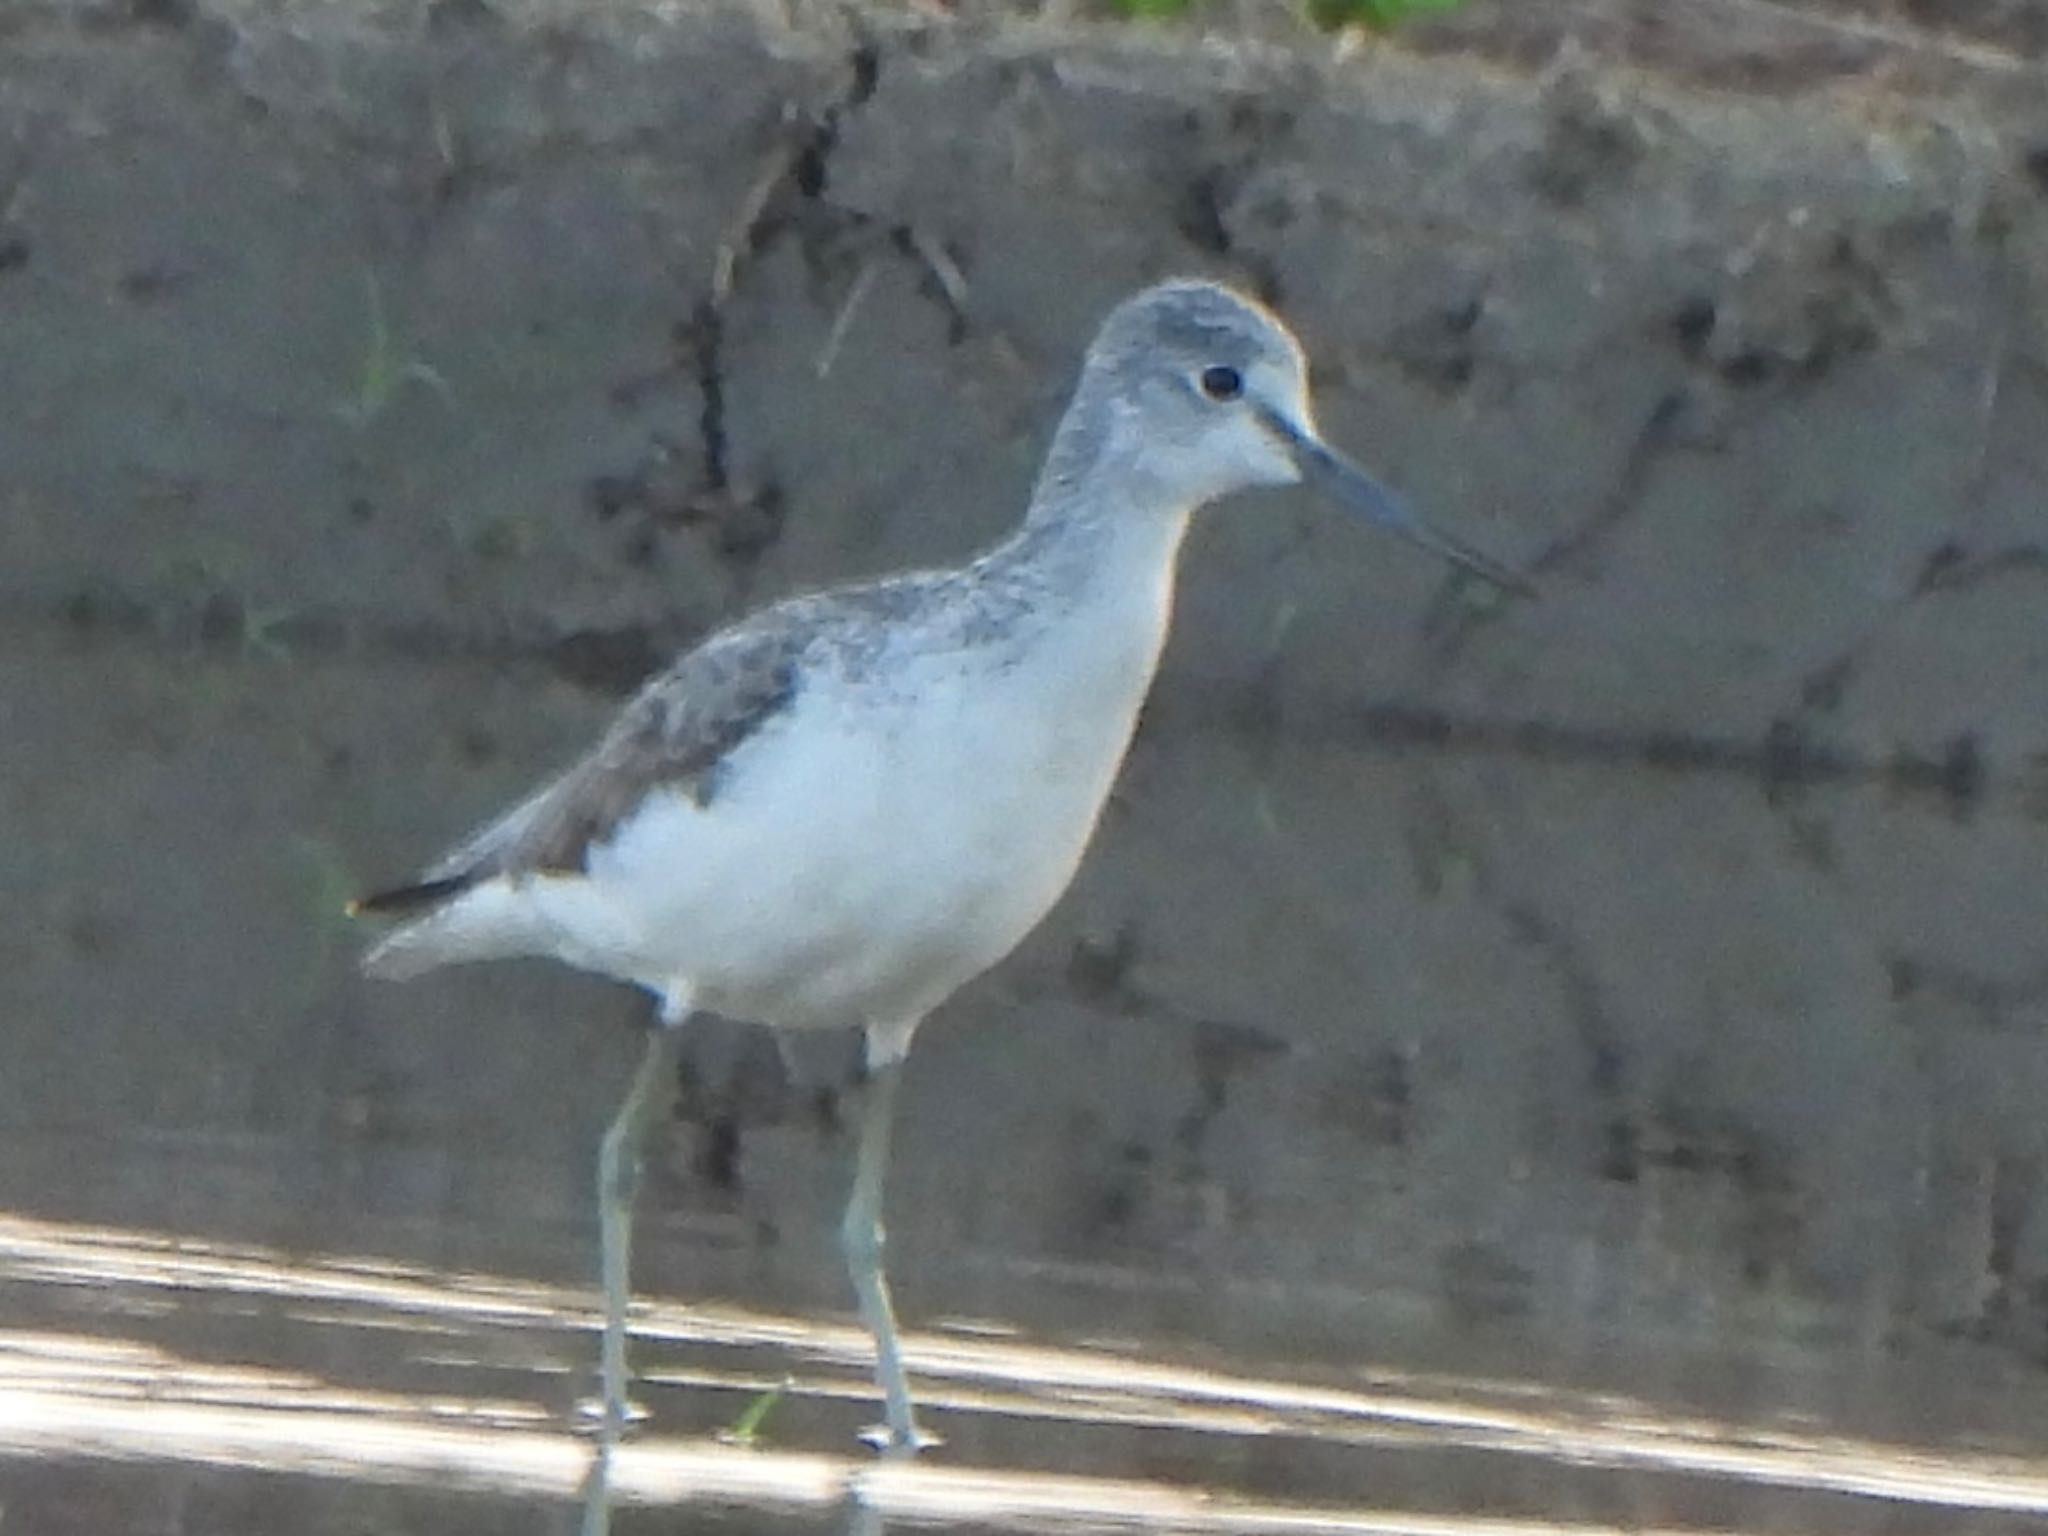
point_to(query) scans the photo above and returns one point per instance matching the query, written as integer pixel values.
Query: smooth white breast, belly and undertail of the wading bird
(880, 845)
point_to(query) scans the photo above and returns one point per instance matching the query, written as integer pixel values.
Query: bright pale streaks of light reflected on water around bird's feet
(73, 1390)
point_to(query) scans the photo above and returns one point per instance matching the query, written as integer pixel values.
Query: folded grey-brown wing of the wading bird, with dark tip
(675, 734)
